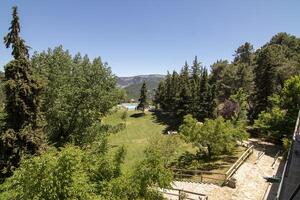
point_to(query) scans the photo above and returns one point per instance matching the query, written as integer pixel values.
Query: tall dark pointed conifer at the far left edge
(22, 131)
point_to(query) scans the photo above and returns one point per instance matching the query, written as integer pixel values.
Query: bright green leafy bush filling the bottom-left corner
(54, 175)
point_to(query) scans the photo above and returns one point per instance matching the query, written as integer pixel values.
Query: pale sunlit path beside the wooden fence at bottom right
(250, 182)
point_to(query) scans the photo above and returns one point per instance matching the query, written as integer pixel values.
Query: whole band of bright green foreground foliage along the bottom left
(91, 173)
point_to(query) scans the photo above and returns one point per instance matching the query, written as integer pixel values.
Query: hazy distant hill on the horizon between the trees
(133, 84)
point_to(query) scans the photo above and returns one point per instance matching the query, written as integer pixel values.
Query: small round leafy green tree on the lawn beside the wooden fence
(215, 137)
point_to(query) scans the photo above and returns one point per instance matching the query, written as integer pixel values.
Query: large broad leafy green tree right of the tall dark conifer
(77, 93)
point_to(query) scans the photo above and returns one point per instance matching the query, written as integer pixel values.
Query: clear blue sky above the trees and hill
(146, 37)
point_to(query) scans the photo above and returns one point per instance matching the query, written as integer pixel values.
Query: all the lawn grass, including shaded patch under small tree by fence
(139, 131)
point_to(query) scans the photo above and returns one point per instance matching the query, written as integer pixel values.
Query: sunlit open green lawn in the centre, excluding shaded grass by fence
(140, 129)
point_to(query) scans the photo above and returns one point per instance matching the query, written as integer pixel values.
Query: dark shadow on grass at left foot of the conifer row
(166, 118)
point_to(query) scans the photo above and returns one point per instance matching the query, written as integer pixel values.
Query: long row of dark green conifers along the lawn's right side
(258, 74)
